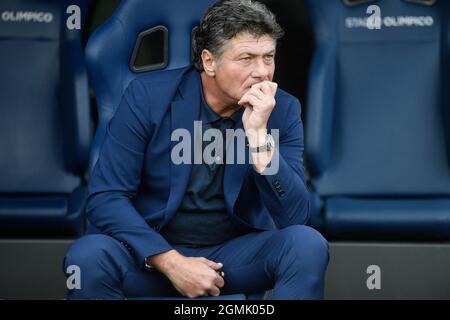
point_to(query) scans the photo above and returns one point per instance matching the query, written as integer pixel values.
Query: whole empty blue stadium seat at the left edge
(44, 120)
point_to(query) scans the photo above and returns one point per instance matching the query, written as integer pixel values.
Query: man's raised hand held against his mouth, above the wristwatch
(259, 102)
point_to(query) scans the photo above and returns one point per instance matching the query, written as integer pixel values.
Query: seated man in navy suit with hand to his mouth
(171, 208)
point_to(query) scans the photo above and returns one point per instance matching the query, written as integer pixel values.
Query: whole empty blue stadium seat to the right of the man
(377, 127)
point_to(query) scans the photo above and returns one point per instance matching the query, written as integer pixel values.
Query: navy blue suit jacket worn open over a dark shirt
(135, 188)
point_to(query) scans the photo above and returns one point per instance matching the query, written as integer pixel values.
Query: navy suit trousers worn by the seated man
(291, 261)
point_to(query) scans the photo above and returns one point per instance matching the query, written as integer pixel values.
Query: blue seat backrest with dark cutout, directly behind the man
(114, 49)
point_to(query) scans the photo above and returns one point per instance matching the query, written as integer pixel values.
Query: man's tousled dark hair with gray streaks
(227, 18)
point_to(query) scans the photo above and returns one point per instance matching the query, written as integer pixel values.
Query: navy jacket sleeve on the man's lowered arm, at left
(116, 177)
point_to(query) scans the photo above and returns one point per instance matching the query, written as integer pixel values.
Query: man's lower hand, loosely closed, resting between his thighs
(192, 276)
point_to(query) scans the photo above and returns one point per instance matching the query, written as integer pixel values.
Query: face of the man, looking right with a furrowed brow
(245, 61)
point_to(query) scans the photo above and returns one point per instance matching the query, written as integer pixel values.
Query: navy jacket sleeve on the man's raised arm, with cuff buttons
(282, 184)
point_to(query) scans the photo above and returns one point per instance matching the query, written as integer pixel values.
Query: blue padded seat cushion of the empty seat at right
(389, 218)
